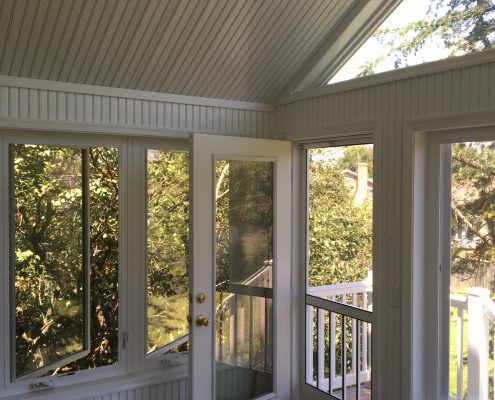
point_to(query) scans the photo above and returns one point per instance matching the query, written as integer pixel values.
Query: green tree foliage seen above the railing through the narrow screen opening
(339, 232)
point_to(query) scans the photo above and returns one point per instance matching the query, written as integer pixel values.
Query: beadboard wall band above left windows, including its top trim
(45, 105)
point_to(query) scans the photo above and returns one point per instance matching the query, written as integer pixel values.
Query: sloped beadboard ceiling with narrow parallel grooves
(246, 50)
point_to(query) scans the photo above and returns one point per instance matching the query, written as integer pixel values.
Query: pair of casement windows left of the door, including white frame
(97, 261)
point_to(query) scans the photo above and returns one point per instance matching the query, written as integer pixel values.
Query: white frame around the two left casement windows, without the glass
(133, 362)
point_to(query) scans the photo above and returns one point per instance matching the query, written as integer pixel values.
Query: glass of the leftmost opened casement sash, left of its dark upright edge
(49, 293)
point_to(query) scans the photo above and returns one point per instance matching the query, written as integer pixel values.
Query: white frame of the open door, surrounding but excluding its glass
(205, 149)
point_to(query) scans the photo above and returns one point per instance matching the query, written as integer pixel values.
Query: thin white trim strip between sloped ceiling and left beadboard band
(57, 86)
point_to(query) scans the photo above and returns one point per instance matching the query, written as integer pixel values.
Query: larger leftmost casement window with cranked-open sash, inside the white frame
(64, 229)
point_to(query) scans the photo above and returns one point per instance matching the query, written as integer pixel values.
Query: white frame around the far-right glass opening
(430, 252)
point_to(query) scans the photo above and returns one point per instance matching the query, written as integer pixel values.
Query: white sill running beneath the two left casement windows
(106, 386)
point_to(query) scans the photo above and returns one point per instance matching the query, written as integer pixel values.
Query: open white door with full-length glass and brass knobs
(240, 285)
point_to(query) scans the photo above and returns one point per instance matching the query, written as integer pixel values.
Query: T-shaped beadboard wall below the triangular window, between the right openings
(388, 107)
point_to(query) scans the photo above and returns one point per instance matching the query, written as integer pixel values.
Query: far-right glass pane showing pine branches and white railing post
(472, 284)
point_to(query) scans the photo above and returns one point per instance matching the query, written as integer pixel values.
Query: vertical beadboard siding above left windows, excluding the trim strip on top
(74, 110)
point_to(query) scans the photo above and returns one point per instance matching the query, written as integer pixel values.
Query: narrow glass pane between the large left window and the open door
(167, 246)
